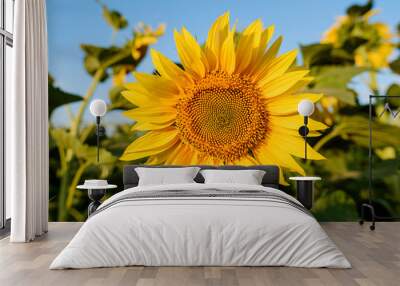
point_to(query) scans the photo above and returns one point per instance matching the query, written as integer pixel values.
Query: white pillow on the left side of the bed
(166, 176)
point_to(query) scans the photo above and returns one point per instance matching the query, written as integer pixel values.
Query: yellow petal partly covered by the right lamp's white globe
(287, 104)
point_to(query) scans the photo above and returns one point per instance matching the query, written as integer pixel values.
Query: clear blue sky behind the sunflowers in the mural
(71, 23)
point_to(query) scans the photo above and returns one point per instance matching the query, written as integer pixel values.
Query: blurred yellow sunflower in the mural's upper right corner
(377, 47)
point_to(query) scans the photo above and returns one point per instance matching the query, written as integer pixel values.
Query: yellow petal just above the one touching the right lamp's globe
(281, 84)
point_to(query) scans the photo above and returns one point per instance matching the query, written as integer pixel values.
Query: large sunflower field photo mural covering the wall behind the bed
(229, 97)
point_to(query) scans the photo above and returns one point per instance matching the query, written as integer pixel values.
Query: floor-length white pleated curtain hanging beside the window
(27, 124)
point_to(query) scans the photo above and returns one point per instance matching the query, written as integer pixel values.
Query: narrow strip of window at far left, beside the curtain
(6, 44)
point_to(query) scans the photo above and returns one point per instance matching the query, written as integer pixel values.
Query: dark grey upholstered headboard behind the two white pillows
(271, 177)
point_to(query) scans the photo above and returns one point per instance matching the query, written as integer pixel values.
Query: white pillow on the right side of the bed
(248, 177)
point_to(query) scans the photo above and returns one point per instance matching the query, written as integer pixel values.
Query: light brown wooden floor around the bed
(375, 257)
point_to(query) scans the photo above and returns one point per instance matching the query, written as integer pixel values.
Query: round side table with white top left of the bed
(96, 190)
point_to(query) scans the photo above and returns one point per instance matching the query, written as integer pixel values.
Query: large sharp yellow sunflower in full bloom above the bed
(233, 102)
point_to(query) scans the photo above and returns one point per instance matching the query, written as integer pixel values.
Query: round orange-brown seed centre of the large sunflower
(222, 116)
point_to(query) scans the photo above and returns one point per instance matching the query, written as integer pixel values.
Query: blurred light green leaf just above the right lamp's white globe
(334, 80)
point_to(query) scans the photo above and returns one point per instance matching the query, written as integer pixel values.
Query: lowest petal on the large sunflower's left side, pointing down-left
(151, 143)
